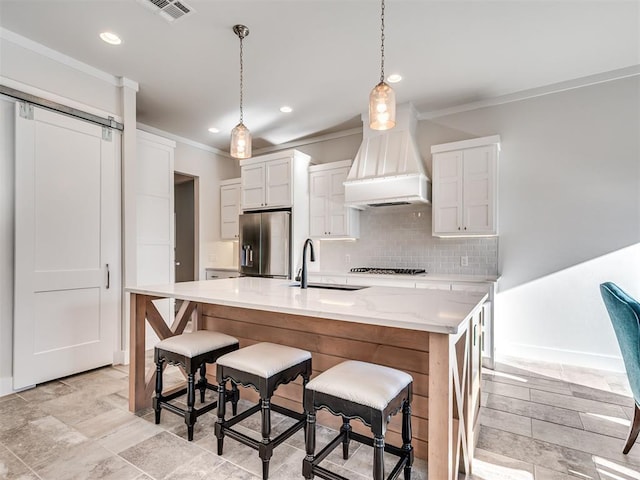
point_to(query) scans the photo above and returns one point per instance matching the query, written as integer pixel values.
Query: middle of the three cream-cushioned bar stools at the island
(263, 366)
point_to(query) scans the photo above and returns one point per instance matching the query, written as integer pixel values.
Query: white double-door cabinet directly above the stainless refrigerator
(268, 181)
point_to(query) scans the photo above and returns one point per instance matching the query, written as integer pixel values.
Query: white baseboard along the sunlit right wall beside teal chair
(566, 357)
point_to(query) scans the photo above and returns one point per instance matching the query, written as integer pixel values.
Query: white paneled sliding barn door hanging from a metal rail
(67, 237)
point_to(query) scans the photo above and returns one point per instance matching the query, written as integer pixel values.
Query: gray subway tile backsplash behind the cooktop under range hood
(400, 237)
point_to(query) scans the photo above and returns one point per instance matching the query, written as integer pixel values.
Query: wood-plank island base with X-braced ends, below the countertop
(445, 368)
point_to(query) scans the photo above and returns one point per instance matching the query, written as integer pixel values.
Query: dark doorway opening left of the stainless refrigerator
(186, 227)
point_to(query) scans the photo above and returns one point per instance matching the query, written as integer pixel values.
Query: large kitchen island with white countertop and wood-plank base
(433, 335)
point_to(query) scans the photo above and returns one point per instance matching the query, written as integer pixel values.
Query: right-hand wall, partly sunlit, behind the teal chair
(569, 214)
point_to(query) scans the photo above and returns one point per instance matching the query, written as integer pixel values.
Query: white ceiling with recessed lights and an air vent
(322, 57)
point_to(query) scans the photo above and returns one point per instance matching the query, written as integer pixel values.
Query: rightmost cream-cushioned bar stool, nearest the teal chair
(371, 393)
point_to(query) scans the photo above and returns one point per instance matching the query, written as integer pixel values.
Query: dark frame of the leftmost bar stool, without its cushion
(191, 366)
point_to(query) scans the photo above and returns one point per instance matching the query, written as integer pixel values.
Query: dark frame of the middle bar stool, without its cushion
(265, 388)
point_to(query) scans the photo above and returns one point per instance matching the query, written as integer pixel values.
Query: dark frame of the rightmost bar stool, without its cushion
(374, 418)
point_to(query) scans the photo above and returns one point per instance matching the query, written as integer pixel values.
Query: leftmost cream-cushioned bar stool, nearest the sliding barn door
(192, 351)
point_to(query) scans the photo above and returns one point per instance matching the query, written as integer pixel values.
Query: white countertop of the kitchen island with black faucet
(415, 309)
